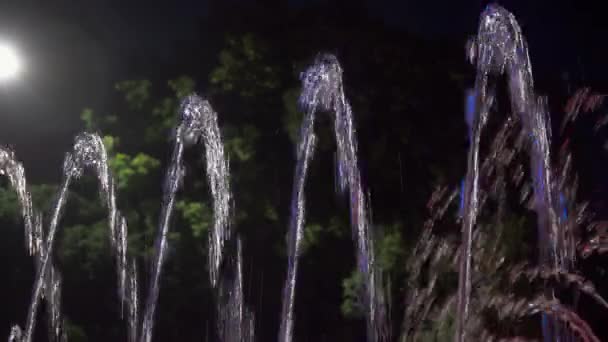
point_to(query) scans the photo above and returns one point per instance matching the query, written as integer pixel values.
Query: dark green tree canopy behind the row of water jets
(406, 95)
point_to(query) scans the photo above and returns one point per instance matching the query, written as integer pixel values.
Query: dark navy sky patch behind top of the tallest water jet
(563, 35)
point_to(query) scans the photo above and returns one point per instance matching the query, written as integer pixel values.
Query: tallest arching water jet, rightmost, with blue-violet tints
(498, 48)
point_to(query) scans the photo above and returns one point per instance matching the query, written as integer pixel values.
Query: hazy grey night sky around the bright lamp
(74, 52)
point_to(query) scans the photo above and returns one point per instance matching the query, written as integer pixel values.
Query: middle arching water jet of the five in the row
(198, 121)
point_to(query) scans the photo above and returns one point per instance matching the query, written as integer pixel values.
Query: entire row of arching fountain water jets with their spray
(499, 48)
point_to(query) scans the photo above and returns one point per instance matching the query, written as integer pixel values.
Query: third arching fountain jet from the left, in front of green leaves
(199, 122)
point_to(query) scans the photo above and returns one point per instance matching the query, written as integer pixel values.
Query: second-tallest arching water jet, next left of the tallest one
(322, 90)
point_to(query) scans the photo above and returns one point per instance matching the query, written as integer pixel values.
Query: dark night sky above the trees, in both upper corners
(76, 50)
